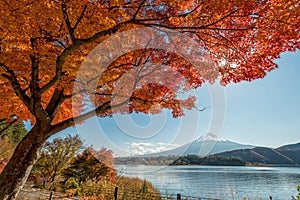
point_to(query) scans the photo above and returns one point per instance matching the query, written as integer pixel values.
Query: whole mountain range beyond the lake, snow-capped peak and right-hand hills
(286, 155)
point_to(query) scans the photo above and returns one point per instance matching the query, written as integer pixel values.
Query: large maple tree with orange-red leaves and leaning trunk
(43, 43)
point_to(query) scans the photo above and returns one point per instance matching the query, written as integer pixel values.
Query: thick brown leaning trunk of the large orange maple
(16, 172)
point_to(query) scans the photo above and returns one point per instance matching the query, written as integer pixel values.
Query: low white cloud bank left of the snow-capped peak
(141, 148)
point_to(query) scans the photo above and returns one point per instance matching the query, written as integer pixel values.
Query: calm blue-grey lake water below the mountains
(218, 181)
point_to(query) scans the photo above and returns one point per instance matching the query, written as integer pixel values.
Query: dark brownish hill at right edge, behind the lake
(284, 155)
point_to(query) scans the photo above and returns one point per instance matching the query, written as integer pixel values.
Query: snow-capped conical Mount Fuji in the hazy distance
(207, 144)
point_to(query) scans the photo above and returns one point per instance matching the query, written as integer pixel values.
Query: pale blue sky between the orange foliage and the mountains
(264, 112)
